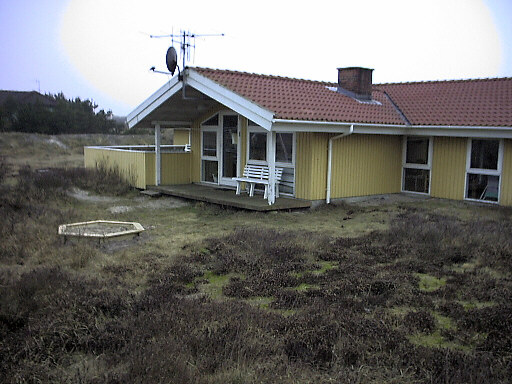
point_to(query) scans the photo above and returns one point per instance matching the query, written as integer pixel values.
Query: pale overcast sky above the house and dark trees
(101, 49)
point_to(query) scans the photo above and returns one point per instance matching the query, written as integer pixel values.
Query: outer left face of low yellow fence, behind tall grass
(129, 164)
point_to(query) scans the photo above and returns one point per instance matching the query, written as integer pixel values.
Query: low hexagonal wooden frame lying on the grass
(100, 229)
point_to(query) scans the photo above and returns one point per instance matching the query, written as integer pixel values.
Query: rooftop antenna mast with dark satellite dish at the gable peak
(187, 42)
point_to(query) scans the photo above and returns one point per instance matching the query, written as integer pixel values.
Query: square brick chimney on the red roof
(355, 82)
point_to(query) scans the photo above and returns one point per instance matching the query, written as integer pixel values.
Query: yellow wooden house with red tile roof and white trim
(446, 139)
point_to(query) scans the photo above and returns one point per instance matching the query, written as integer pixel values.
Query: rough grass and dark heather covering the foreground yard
(408, 292)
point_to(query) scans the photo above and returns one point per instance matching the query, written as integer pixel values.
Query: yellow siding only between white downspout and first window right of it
(366, 165)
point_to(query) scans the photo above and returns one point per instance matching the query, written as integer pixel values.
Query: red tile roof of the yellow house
(484, 102)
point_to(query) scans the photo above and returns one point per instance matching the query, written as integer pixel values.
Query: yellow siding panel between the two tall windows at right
(449, 167)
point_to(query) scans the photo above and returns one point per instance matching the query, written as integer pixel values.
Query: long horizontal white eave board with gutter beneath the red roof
(390, 129)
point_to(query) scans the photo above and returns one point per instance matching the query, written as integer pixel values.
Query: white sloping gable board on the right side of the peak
(261, 116)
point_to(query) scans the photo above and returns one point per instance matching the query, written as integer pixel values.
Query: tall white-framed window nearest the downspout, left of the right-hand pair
(417, 164)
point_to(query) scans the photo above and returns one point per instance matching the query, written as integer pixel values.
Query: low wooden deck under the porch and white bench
(227, 197)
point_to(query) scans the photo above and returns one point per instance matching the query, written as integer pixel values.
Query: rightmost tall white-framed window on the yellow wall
(483, 170)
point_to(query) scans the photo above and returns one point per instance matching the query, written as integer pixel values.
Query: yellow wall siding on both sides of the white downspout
(361, 165)
